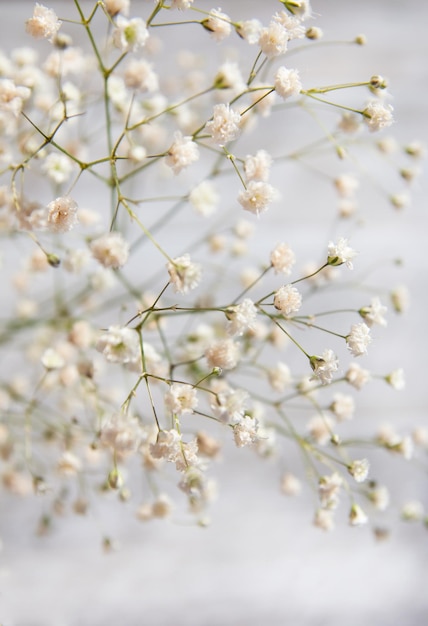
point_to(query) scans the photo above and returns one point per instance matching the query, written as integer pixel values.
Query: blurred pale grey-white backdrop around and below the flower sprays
(261, 561)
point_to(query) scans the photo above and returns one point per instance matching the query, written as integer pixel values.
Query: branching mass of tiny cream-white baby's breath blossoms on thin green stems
(147, 322)
